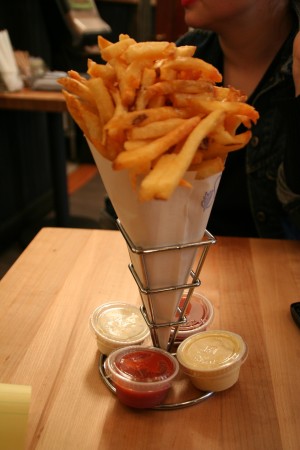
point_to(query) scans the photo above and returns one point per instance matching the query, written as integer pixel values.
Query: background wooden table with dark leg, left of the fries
(54, 104)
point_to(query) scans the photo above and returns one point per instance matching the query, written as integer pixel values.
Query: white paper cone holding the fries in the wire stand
(180, 220)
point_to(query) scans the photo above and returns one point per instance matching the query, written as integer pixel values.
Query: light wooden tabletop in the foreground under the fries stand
(45, 341)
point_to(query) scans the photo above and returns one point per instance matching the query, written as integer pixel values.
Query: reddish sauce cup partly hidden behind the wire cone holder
(199, 315)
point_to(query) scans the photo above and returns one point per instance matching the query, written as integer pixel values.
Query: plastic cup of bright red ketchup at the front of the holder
(142, 376)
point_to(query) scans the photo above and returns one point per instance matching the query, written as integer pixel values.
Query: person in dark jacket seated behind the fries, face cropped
(251, 42)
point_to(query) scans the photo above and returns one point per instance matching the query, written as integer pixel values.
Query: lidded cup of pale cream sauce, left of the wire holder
(118, 325)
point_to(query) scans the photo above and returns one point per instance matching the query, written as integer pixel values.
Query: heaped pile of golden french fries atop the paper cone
(158, 112)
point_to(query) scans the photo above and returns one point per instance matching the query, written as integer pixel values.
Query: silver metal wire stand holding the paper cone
(146, 308)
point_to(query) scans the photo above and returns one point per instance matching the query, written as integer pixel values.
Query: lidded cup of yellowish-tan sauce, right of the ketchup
(212, 359)
